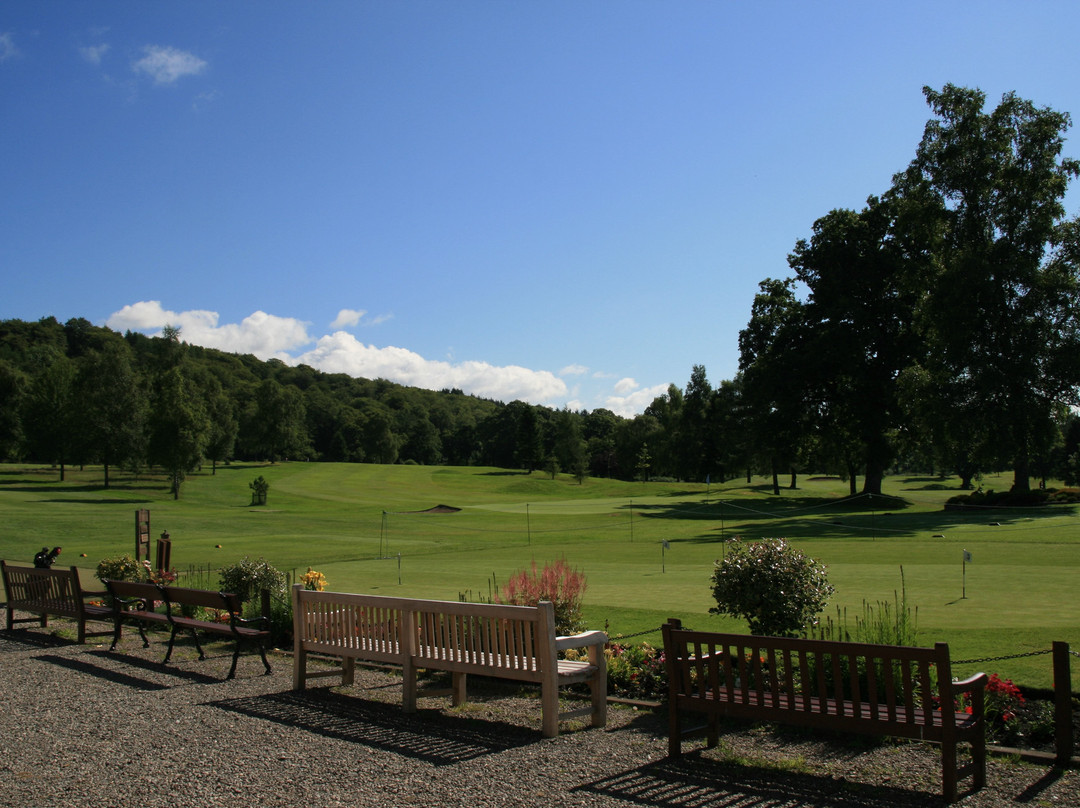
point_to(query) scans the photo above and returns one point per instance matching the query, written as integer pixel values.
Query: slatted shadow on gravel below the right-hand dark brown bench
(695, 780)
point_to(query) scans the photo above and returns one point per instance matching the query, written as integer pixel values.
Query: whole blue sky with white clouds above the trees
(562, 203)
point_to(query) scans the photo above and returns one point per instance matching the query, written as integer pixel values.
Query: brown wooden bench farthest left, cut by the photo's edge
(53, 591)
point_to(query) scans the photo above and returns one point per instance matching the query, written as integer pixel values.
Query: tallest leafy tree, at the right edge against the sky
(1002, 321)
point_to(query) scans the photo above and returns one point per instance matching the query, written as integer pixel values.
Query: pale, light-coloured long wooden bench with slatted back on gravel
(503, 642)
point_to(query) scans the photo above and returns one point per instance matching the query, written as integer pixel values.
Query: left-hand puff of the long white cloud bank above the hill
(262, 334)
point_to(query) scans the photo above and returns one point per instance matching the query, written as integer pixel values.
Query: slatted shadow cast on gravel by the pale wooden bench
(435, 739)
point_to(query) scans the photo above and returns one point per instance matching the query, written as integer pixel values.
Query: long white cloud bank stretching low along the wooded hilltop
(268, 336)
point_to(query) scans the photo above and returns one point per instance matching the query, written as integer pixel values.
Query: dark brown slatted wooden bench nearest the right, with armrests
(853, 688)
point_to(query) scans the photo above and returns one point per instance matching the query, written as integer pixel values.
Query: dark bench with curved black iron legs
(138, 602)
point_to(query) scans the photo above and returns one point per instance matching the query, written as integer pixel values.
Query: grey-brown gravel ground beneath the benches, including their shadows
(80, 728)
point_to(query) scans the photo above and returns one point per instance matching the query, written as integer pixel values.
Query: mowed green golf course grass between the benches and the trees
(360, 526)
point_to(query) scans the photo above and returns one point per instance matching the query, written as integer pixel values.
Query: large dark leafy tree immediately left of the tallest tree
(863, 278)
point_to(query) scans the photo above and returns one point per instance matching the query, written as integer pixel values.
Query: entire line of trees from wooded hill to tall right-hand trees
(936, 330)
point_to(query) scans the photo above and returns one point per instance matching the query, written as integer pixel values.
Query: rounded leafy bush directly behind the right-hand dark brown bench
(775, 587)
